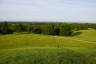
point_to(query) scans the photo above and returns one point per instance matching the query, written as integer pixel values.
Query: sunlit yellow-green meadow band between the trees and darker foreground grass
(37, 40)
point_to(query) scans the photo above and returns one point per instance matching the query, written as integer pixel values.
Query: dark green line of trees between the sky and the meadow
(63, 29)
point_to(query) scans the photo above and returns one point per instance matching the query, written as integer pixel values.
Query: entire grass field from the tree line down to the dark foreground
(46, 49)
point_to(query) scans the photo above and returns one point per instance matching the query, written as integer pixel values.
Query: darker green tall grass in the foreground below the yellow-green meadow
(46, 56)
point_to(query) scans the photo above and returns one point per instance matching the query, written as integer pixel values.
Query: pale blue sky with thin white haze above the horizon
(48, 10)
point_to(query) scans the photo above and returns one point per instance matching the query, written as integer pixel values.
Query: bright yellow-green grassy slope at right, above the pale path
(89, 35)
